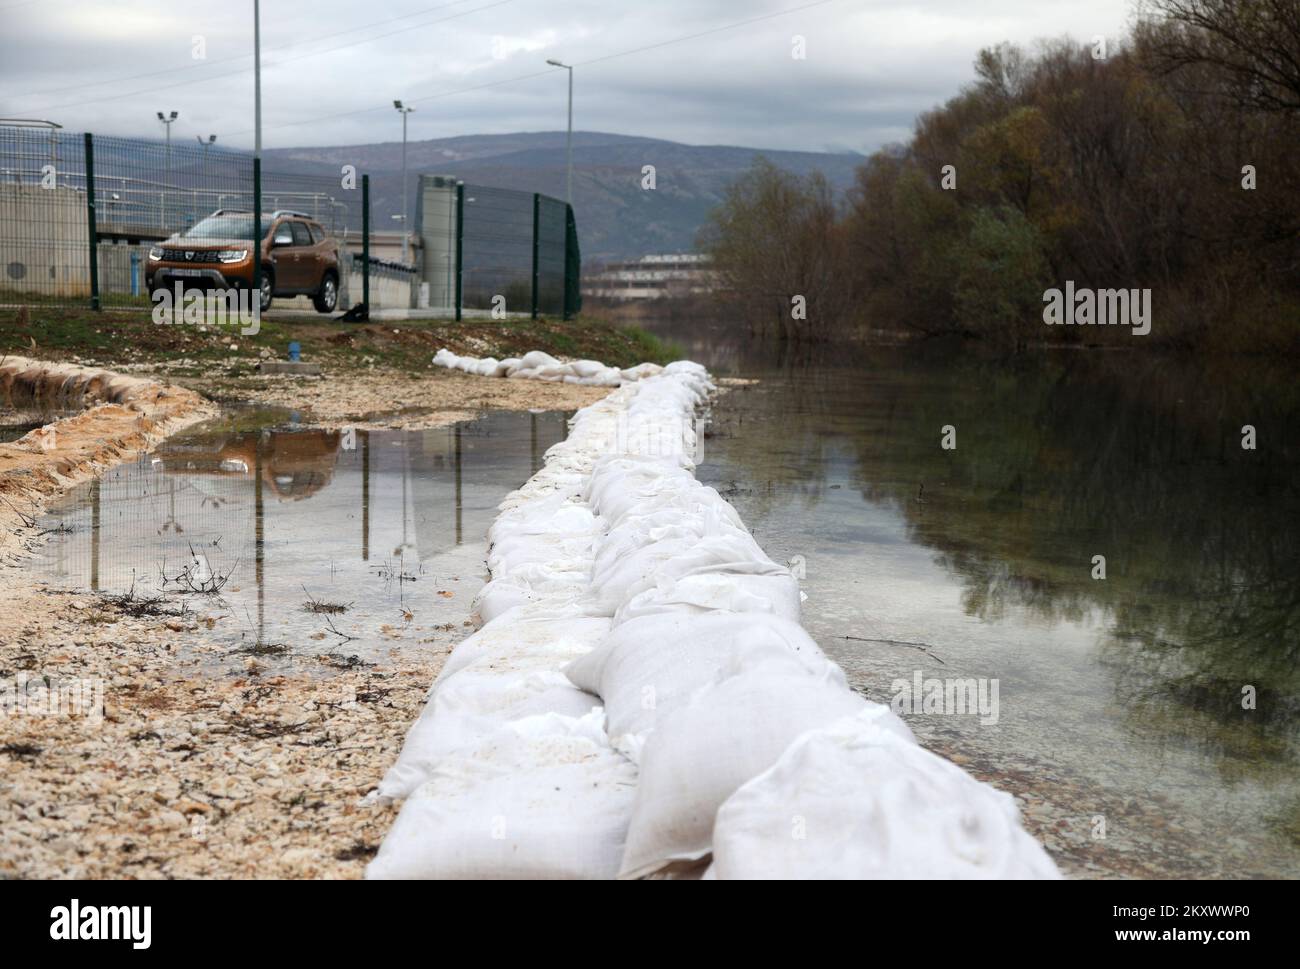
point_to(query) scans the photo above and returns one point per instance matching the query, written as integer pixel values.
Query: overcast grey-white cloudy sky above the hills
(703, 72)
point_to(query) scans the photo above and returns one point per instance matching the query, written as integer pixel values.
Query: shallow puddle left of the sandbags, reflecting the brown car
(270, 529)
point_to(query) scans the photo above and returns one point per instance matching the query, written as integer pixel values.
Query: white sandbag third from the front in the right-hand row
(649, 668)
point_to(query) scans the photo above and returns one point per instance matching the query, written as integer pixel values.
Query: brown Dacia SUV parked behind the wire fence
(297, 258)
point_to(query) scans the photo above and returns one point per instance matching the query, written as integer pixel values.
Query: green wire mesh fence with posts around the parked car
(80, 217)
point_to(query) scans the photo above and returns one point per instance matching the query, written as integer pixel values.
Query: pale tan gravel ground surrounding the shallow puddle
(133, 745)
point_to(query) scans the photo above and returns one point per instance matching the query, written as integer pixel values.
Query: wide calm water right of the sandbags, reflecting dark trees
(1120, 715)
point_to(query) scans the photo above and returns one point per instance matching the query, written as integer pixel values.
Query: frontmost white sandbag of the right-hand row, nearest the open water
(853, 801)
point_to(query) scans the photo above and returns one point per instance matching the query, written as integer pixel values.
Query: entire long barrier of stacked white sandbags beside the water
(643, 702)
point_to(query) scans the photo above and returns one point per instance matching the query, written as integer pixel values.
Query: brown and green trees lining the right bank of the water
(1164, 163)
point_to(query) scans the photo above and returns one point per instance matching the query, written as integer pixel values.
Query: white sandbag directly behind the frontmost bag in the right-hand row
(703, 752)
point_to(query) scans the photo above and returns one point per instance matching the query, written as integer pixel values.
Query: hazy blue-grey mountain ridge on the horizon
(617, 219)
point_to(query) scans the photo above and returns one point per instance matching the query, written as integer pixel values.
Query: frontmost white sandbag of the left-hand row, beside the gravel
(543, 798)
